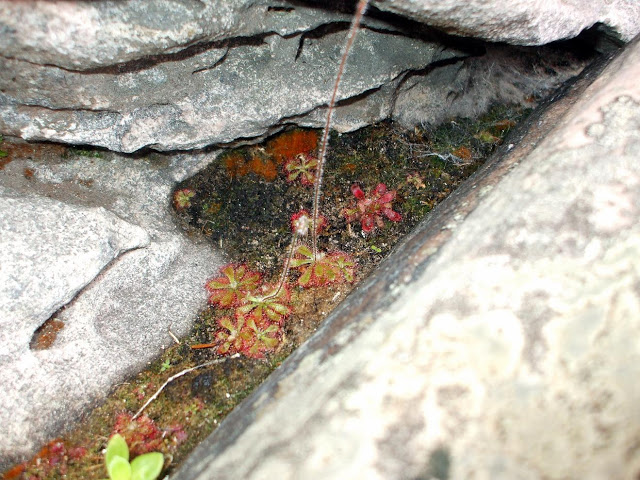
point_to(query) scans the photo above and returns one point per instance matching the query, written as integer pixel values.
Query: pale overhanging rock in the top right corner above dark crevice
(521, 22)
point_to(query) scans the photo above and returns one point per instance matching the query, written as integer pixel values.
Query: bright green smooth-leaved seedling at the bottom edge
(143, 467)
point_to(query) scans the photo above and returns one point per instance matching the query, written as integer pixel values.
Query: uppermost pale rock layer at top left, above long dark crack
(89, 35)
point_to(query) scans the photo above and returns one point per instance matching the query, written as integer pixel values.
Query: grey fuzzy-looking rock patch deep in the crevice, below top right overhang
(502, 75)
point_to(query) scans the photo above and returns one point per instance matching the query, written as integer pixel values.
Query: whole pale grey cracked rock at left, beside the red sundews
(116, 277)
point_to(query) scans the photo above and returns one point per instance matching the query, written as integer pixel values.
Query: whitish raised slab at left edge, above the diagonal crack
(49, 251)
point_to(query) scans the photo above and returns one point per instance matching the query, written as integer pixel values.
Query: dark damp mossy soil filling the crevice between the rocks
(242, 203)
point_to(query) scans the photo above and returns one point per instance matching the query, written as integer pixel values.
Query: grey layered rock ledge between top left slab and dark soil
(216, 96)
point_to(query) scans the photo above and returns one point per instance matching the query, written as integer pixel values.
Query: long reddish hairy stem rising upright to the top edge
(324, 142)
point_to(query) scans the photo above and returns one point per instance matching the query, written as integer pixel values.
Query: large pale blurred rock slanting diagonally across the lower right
(500, 341)
